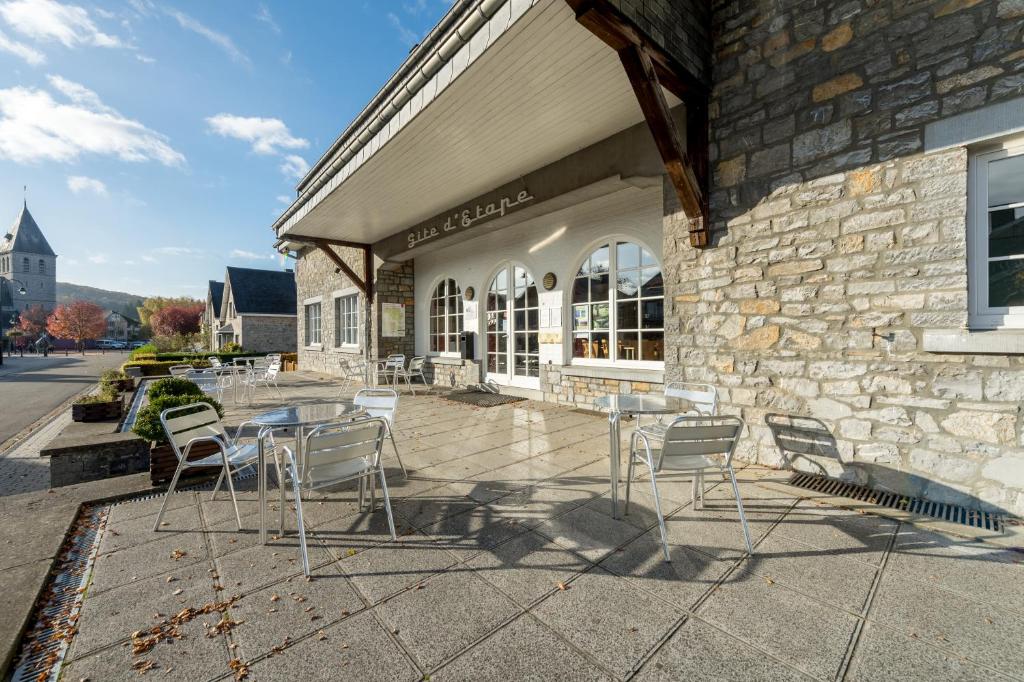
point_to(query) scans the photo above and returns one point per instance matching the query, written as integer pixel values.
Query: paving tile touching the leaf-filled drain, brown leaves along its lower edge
(113, 616)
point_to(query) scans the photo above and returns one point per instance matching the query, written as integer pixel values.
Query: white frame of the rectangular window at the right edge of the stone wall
(980, 315)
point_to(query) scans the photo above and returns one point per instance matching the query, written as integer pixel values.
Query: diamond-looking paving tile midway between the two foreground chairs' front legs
(528, 568)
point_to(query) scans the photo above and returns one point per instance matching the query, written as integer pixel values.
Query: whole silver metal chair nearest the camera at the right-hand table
(690, 445)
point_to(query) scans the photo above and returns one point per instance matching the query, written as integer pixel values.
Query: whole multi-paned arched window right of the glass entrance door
(620, 323)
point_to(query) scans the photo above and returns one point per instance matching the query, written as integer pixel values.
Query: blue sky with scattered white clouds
(160, 140)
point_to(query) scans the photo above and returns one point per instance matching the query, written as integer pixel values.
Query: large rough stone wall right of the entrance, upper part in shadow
(838, 243)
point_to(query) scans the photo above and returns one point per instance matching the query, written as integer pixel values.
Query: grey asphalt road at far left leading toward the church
(31, 388)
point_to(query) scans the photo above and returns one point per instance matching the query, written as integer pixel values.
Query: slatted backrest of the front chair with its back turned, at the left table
(335, 453)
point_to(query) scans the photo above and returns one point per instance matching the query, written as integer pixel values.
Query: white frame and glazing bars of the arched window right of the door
(610, 242)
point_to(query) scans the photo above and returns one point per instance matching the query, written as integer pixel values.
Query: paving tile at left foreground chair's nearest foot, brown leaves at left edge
(291, 610)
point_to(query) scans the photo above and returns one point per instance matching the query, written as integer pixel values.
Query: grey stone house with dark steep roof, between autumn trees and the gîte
(258, 311)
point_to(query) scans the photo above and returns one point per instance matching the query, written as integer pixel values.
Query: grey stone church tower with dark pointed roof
(26, 255)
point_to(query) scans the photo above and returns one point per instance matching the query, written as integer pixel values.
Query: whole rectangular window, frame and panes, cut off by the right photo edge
(996, 223)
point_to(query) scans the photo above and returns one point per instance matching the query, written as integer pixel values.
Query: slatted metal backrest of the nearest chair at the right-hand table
(690, 441)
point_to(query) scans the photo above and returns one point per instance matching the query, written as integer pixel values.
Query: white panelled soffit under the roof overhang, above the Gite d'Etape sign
(544, 90)
